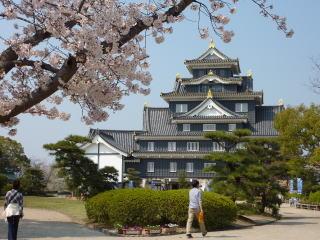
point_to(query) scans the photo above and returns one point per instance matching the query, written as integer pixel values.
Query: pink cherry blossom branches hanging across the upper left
(91, 53)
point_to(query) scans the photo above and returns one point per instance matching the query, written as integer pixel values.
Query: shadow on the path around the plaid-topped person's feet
(50, 229)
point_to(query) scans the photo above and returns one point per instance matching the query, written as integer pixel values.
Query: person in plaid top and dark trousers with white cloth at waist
(13, 206)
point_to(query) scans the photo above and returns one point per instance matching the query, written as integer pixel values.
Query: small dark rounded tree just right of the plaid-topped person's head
(33, 181)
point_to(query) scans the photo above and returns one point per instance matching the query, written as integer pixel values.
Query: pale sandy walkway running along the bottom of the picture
(296, 224)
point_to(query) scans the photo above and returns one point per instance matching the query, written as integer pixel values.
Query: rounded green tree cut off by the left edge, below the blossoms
(12, 156)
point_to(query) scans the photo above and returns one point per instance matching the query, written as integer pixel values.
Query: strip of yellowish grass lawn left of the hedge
(73, 208)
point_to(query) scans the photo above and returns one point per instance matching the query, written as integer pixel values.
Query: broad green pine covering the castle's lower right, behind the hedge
(249, 169)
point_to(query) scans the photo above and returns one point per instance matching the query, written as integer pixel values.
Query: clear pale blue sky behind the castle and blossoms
(281, 68)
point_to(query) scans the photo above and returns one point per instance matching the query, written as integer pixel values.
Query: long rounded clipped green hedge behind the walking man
(147, 207)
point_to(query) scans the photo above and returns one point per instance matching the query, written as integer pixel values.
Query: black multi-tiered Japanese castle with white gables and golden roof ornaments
(171, 143)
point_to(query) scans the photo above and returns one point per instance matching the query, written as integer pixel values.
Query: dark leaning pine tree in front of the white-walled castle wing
(80, 173)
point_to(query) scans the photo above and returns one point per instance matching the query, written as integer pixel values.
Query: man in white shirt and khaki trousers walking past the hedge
(195, 208)
